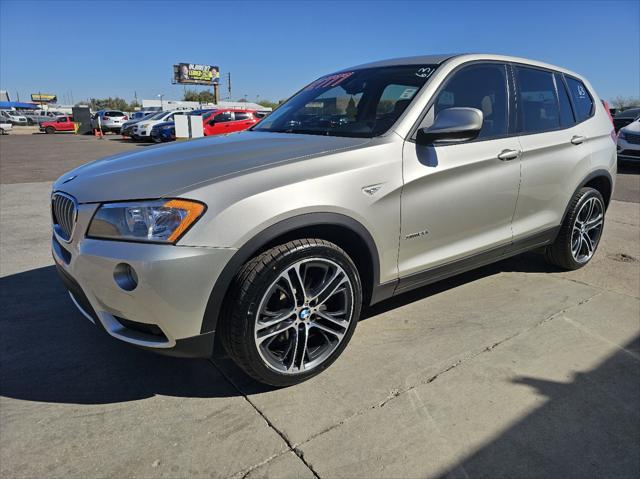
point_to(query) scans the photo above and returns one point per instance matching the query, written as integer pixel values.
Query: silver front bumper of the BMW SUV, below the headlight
(165, 311)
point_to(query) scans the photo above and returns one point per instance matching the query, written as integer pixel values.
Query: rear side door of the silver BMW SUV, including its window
(555, 151)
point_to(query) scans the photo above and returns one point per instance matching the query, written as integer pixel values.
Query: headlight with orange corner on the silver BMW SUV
(157, 221)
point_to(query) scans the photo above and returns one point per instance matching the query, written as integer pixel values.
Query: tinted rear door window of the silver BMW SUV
(537, 100)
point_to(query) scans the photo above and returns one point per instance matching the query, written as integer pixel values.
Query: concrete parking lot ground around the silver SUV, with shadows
(512, 370)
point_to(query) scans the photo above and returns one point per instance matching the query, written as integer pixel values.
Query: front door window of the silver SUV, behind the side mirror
(483, 87)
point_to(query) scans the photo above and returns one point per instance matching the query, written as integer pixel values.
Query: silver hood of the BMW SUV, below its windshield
(159, 171)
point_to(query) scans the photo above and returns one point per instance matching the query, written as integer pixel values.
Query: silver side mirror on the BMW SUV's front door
(452, 125)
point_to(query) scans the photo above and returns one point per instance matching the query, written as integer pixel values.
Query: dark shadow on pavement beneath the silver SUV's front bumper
(50, 352)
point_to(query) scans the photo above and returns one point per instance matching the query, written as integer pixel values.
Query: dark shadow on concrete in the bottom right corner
(588, 426)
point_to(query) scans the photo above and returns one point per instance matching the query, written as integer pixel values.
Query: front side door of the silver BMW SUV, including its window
(458, 198)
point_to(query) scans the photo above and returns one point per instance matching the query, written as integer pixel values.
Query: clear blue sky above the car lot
(100, 49)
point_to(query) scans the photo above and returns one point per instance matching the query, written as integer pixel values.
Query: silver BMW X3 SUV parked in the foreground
(367, 183)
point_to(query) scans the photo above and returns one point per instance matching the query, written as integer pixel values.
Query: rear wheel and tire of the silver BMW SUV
(580, 232)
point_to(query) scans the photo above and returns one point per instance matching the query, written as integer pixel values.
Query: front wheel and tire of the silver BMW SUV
(291, 312)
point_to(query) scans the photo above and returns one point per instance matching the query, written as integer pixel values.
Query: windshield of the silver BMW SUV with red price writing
(360, 103)
